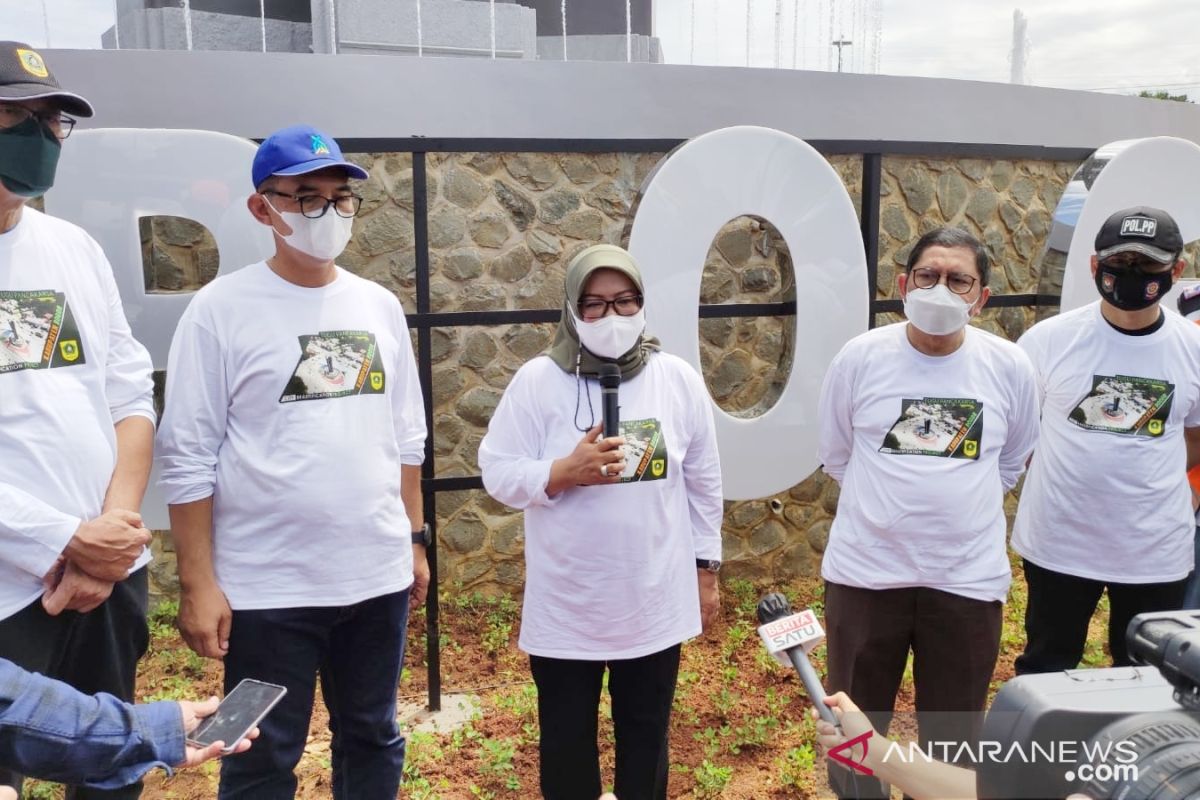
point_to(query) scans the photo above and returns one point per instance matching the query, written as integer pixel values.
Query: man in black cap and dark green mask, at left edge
(79, 419)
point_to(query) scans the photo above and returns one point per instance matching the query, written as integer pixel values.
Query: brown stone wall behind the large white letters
(502, 230)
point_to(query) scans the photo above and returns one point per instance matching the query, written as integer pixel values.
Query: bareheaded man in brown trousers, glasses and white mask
(926, 425)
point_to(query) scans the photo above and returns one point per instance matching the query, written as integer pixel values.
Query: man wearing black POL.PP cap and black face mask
(1107, 503)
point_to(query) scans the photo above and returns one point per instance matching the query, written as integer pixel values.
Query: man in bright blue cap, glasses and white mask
(291, 452)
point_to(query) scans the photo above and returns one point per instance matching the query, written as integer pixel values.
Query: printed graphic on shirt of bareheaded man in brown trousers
(951, 428)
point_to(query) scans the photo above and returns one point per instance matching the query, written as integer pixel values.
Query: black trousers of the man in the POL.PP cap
(1061, 606)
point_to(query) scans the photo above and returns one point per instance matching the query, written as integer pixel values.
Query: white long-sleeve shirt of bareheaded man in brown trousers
(925, 449)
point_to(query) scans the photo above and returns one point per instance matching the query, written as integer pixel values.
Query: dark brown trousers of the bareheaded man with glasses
(955, 643)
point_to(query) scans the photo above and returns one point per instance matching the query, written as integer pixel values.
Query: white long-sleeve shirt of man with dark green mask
(70, 370)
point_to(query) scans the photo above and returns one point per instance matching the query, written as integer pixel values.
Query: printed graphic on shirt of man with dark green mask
(38, 332)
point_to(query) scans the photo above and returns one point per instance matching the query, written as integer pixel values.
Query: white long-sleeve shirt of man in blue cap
(295, 410)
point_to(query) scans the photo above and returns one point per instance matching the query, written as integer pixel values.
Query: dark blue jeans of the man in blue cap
(358, 651)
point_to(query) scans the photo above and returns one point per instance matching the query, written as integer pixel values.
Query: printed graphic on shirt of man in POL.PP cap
(1125, 405)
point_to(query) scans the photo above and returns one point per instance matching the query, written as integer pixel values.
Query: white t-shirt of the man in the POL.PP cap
(1107, 497)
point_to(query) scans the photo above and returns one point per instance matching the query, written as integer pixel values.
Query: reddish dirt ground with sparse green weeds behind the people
(741, 726)
